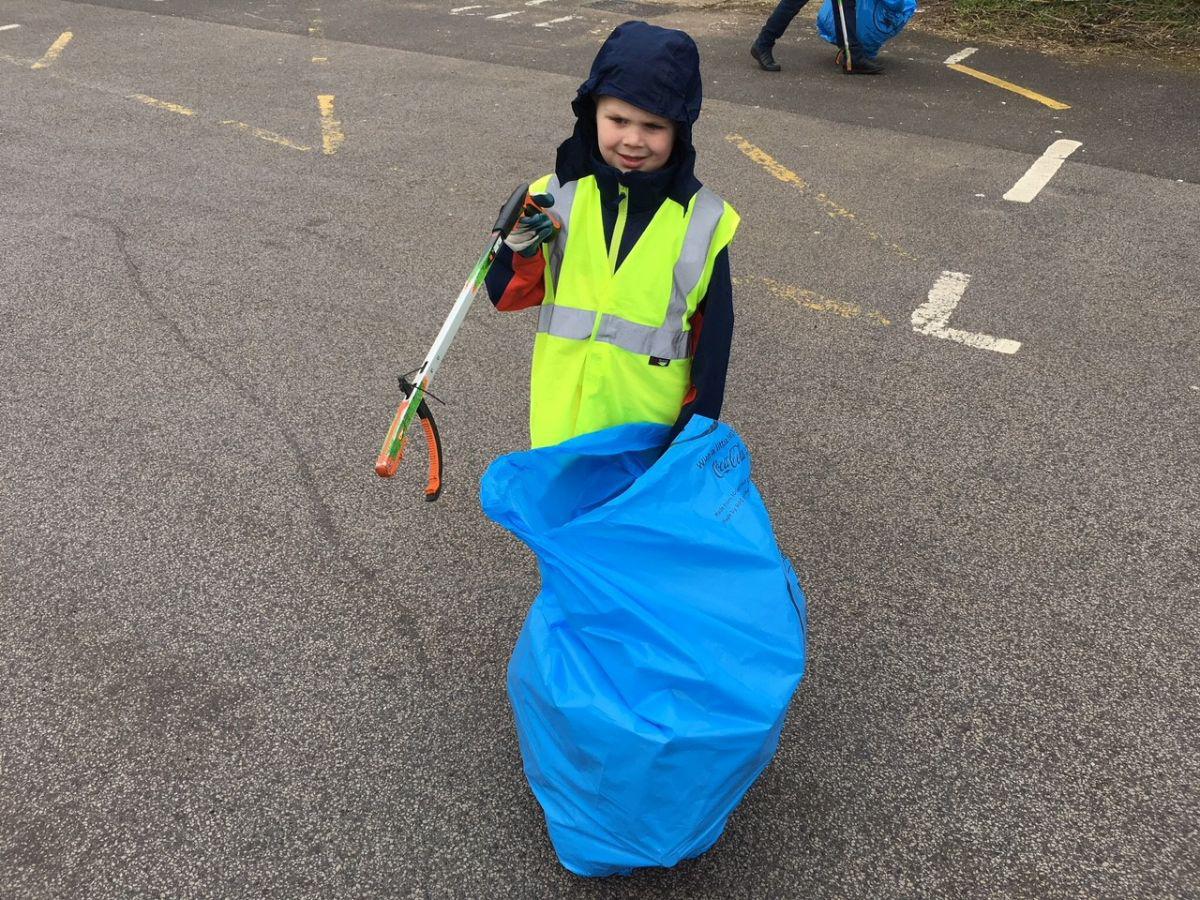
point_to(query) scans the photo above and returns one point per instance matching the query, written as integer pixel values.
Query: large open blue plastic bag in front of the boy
(653, 674)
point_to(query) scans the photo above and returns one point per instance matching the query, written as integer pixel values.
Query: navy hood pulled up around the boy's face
(656, 69)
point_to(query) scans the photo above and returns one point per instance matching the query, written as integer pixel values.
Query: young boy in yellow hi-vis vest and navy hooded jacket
(633, 272)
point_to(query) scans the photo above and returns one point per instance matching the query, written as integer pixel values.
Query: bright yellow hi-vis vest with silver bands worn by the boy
(613, 344)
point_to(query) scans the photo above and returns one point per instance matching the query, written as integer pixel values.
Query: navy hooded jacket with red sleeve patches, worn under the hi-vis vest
(657, 70)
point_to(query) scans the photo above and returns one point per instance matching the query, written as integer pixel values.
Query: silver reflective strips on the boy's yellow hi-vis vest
(669, 341)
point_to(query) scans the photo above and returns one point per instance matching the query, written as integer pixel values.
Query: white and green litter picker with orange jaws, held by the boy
(416, 385)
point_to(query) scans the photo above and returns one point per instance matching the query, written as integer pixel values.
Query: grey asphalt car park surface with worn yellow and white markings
(235, 663)
